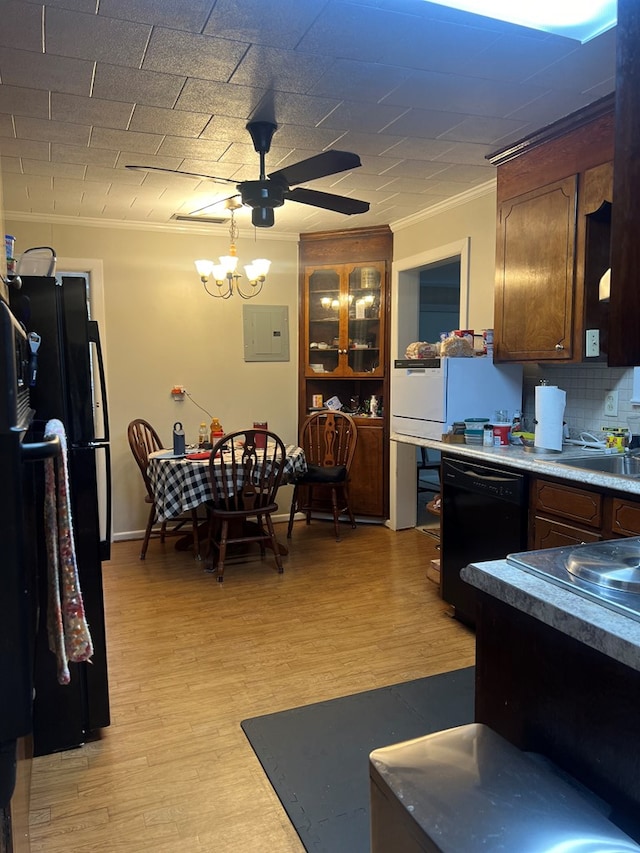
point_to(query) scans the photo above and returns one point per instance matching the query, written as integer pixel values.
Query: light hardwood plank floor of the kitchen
(190, 658)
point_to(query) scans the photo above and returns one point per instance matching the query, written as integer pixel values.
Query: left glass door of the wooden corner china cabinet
(323, 320)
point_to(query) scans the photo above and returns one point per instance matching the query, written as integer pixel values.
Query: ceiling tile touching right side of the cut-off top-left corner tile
(95, 37)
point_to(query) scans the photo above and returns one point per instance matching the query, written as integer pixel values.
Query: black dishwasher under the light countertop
(484, 517)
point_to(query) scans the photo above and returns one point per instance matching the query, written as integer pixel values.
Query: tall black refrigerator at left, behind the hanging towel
(70, 386)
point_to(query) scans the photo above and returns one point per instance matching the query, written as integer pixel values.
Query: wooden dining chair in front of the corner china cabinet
(329, 443)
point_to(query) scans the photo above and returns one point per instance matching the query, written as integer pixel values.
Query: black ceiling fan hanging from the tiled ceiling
(271, 191)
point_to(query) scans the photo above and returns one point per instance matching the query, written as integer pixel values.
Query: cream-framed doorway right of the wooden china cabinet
(429, 296)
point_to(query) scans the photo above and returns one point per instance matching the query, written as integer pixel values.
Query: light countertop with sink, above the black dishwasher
(543, 464)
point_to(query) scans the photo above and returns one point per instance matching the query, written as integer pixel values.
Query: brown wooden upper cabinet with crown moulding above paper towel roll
(553, 238)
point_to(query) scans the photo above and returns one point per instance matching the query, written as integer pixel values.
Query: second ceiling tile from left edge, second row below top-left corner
(152, 88)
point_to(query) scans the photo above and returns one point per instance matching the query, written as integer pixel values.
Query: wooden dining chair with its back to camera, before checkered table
(245, 471)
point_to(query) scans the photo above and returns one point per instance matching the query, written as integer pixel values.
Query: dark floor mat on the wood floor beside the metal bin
(317, 756)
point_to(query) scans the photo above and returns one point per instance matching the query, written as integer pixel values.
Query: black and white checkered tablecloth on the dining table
(183, 484)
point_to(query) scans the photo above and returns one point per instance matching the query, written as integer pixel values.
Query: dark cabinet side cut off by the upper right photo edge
(624, 307)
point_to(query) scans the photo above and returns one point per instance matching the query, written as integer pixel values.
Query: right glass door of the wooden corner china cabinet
(365, 325)
